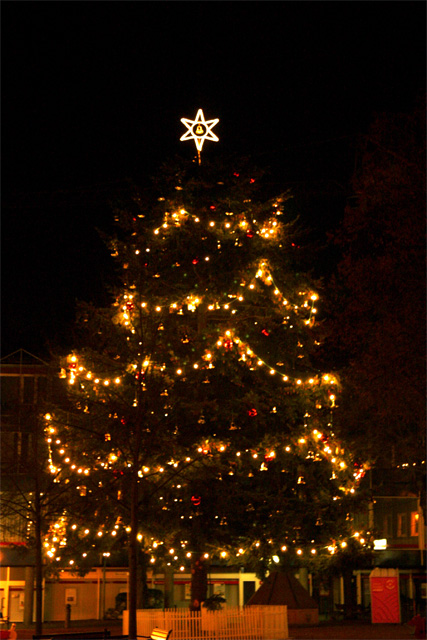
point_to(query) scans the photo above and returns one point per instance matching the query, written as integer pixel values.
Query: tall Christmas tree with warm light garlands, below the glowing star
(200, 426)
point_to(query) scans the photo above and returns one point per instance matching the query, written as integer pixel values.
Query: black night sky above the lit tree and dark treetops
(93, 93)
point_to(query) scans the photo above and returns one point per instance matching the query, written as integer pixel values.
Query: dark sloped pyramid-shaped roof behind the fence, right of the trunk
(283, 588)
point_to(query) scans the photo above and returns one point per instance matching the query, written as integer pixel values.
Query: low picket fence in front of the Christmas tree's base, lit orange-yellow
(231, 623)
